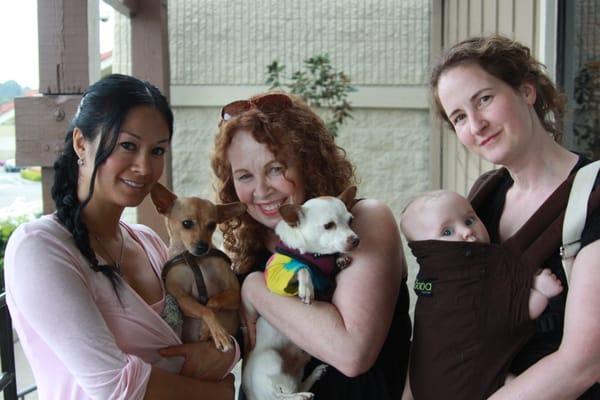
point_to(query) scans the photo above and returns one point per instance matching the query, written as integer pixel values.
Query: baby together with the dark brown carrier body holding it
(472, 316)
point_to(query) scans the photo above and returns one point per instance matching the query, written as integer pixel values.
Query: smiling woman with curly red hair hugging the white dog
(273, 149)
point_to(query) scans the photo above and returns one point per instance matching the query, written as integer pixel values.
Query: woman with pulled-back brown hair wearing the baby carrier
(502, 107)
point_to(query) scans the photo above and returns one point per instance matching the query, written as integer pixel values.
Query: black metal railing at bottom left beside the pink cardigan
(8, 381)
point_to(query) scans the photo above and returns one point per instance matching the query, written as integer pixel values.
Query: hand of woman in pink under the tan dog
(202, 360)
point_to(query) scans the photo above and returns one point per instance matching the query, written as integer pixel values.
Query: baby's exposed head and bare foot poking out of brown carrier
(445, 215)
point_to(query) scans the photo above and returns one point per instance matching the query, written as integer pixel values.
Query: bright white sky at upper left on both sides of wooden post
(19, 38)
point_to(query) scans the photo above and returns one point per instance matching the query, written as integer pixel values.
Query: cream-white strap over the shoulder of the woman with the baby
(576, 214)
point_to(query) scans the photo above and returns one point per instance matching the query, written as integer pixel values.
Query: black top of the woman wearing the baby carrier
(550, 324)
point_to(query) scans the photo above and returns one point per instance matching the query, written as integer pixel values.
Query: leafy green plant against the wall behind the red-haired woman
(320, 85)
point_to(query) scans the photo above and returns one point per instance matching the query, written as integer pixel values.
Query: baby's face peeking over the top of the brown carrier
(449, 217)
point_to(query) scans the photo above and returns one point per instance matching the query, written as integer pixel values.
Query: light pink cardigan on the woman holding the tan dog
(80, 341)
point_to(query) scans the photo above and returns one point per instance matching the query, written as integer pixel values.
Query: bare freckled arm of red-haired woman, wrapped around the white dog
(349, 332)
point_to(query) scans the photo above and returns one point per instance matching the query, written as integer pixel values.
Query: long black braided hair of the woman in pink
(102, 110)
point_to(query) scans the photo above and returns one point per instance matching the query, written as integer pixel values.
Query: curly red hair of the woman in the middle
(291, 133)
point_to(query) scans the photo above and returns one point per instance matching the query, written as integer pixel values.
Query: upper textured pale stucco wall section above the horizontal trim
(382, 42)
